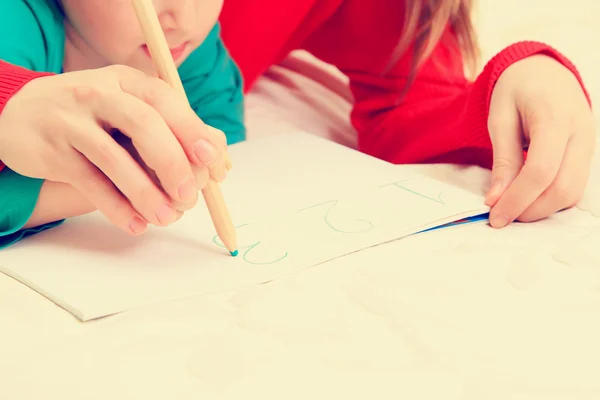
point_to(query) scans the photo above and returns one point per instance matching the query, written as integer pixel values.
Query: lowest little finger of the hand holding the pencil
(101, 192)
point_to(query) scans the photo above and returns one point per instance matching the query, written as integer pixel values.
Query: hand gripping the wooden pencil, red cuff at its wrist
(55, 128)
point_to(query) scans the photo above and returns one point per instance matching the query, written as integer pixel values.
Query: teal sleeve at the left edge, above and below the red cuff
(25, 43)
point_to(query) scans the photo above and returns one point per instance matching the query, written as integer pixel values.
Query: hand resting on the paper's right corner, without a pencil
(539, 104)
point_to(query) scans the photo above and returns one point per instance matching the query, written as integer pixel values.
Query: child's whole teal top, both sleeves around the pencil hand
(32, 36)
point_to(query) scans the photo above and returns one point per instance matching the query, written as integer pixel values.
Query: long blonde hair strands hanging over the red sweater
(426, 21)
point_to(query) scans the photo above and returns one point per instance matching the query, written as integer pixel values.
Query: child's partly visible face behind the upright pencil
(106, 32)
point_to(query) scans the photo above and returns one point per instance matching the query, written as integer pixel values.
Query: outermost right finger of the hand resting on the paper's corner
(568, 187)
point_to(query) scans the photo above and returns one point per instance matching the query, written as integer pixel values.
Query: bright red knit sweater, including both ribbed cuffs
(443, 118)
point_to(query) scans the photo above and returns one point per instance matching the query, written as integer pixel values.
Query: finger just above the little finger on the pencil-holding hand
(126, 174)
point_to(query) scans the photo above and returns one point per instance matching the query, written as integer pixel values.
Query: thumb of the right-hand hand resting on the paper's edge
(507, 142)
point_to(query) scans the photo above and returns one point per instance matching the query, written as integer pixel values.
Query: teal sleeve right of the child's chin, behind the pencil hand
(213, 84)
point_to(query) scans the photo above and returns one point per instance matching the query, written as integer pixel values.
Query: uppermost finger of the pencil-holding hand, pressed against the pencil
(202, 146)
